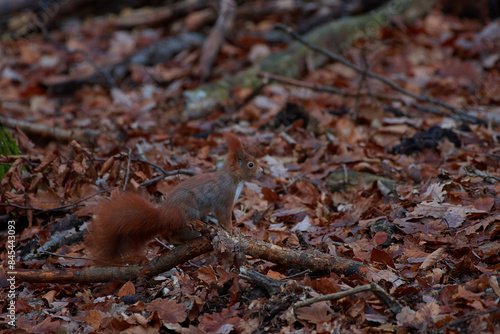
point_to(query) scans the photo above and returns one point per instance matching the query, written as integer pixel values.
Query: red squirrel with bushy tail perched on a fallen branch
(124, 225)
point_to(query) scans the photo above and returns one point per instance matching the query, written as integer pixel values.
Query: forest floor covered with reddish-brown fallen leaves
(412, 195)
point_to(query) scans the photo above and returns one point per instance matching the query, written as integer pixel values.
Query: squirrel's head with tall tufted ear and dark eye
(239, 163)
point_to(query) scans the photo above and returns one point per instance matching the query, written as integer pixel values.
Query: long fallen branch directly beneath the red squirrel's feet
(313, 260)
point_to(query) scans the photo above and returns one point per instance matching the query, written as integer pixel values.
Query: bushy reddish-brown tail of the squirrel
(125, 224)
